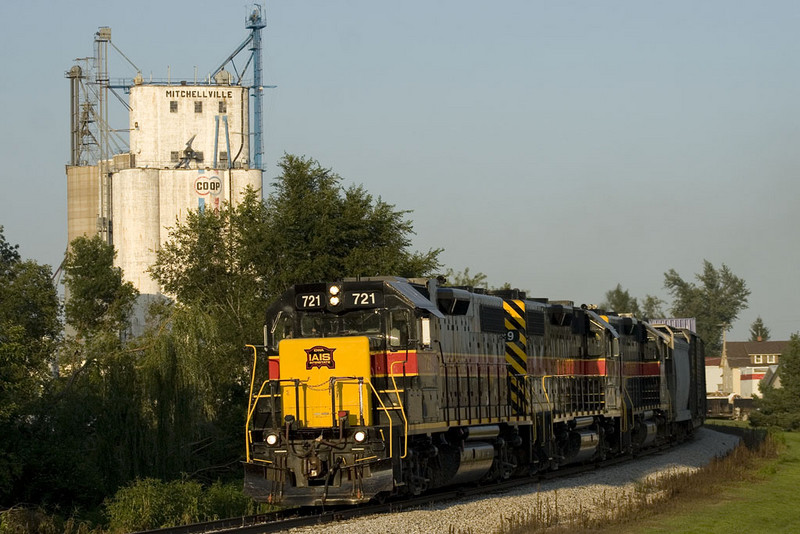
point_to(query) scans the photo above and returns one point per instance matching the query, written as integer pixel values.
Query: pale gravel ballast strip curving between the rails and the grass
(582, 494)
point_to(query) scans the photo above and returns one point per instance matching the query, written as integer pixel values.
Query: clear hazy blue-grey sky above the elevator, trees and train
(562, 146)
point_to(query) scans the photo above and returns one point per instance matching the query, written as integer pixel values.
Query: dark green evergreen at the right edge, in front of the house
(779, 406)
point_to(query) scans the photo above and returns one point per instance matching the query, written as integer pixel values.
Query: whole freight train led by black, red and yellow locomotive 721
(382, 386)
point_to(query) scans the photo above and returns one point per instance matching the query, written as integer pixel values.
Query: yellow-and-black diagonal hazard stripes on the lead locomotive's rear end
(516, 354)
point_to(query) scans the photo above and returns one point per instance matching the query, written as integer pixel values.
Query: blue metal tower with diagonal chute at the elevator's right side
(255, 22)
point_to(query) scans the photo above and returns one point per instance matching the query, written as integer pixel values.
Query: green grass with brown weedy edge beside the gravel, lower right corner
(753, 489)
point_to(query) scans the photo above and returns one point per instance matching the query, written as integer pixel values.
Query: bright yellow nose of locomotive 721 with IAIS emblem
(333, 375)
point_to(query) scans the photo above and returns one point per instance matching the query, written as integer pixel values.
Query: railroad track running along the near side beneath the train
(313, 516)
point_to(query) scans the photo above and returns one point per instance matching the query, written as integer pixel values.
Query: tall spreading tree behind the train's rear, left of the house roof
(715, 302)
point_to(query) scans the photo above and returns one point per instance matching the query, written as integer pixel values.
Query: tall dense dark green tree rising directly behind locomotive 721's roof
(319, 230)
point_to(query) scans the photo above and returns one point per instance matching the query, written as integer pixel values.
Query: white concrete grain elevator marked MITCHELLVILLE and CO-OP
(191, 145)
